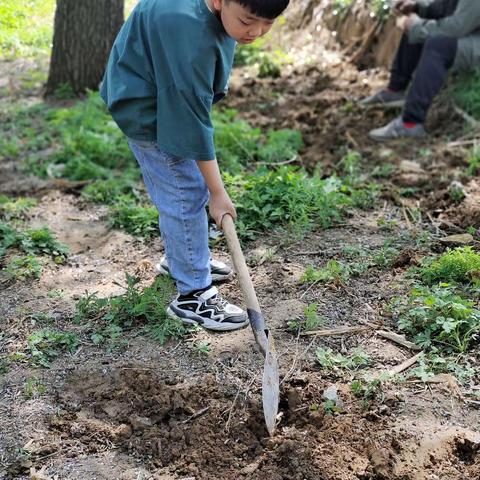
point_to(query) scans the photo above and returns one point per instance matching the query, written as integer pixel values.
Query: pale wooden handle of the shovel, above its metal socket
(239, 263)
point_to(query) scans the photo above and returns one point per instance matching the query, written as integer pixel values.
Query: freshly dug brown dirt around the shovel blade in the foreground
(196, 429)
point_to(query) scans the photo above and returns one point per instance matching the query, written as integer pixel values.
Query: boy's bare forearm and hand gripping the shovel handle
(220, 203)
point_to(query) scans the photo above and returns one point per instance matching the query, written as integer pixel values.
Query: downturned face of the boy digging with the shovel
(240, 23)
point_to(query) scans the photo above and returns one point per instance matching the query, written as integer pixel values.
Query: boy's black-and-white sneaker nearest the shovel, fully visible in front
(209, 310)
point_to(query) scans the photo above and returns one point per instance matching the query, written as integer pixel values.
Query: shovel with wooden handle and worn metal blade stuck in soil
(263, 337)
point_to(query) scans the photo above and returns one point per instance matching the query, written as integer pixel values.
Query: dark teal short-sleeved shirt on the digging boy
(170, 62)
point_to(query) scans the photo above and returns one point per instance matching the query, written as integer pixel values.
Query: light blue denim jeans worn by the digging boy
(178, 190)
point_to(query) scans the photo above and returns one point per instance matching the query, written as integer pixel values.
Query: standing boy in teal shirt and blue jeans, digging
(170, 62)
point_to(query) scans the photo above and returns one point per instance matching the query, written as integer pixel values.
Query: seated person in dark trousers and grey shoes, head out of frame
(440, 36)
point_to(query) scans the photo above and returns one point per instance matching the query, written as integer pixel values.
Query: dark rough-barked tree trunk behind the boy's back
(84, 34)
